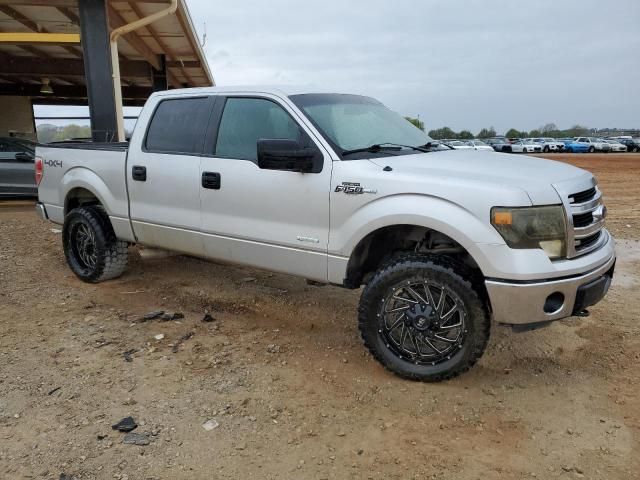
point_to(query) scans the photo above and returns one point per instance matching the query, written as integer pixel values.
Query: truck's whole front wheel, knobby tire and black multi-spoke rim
(422, 319)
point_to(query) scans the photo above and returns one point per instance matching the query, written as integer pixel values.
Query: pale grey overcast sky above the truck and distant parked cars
(464, 64)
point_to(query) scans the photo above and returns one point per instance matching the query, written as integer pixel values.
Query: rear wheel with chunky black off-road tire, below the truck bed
(111, 254)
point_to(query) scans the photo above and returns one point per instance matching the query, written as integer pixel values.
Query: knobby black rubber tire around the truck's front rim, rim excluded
(444, 270)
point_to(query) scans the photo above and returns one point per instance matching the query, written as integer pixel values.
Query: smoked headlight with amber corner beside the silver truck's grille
(532, 227)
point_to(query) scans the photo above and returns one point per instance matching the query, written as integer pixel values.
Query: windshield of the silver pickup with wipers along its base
(352, 122)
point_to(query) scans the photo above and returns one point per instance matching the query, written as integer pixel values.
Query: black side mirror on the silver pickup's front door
(286, 155)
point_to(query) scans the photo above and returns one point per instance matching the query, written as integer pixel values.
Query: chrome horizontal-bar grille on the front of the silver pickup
(585, 214)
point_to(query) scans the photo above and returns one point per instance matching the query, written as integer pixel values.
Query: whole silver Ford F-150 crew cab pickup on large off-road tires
(339, 189)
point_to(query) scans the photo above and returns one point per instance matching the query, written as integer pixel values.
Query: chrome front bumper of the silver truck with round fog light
(530, 302)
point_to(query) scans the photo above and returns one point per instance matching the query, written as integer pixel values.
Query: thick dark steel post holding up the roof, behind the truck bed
(94, 28)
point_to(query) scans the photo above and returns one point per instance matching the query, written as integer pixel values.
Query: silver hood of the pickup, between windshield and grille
(535, 176)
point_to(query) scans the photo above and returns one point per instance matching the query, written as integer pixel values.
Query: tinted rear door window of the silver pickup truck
(178, 126)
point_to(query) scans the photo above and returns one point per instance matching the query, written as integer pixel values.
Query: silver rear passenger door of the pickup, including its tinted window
(163, 173)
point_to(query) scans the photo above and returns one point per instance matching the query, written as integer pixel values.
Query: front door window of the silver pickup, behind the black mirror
(246, 120)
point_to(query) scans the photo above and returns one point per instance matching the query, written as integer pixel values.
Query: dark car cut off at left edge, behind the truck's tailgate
(17, 170)
